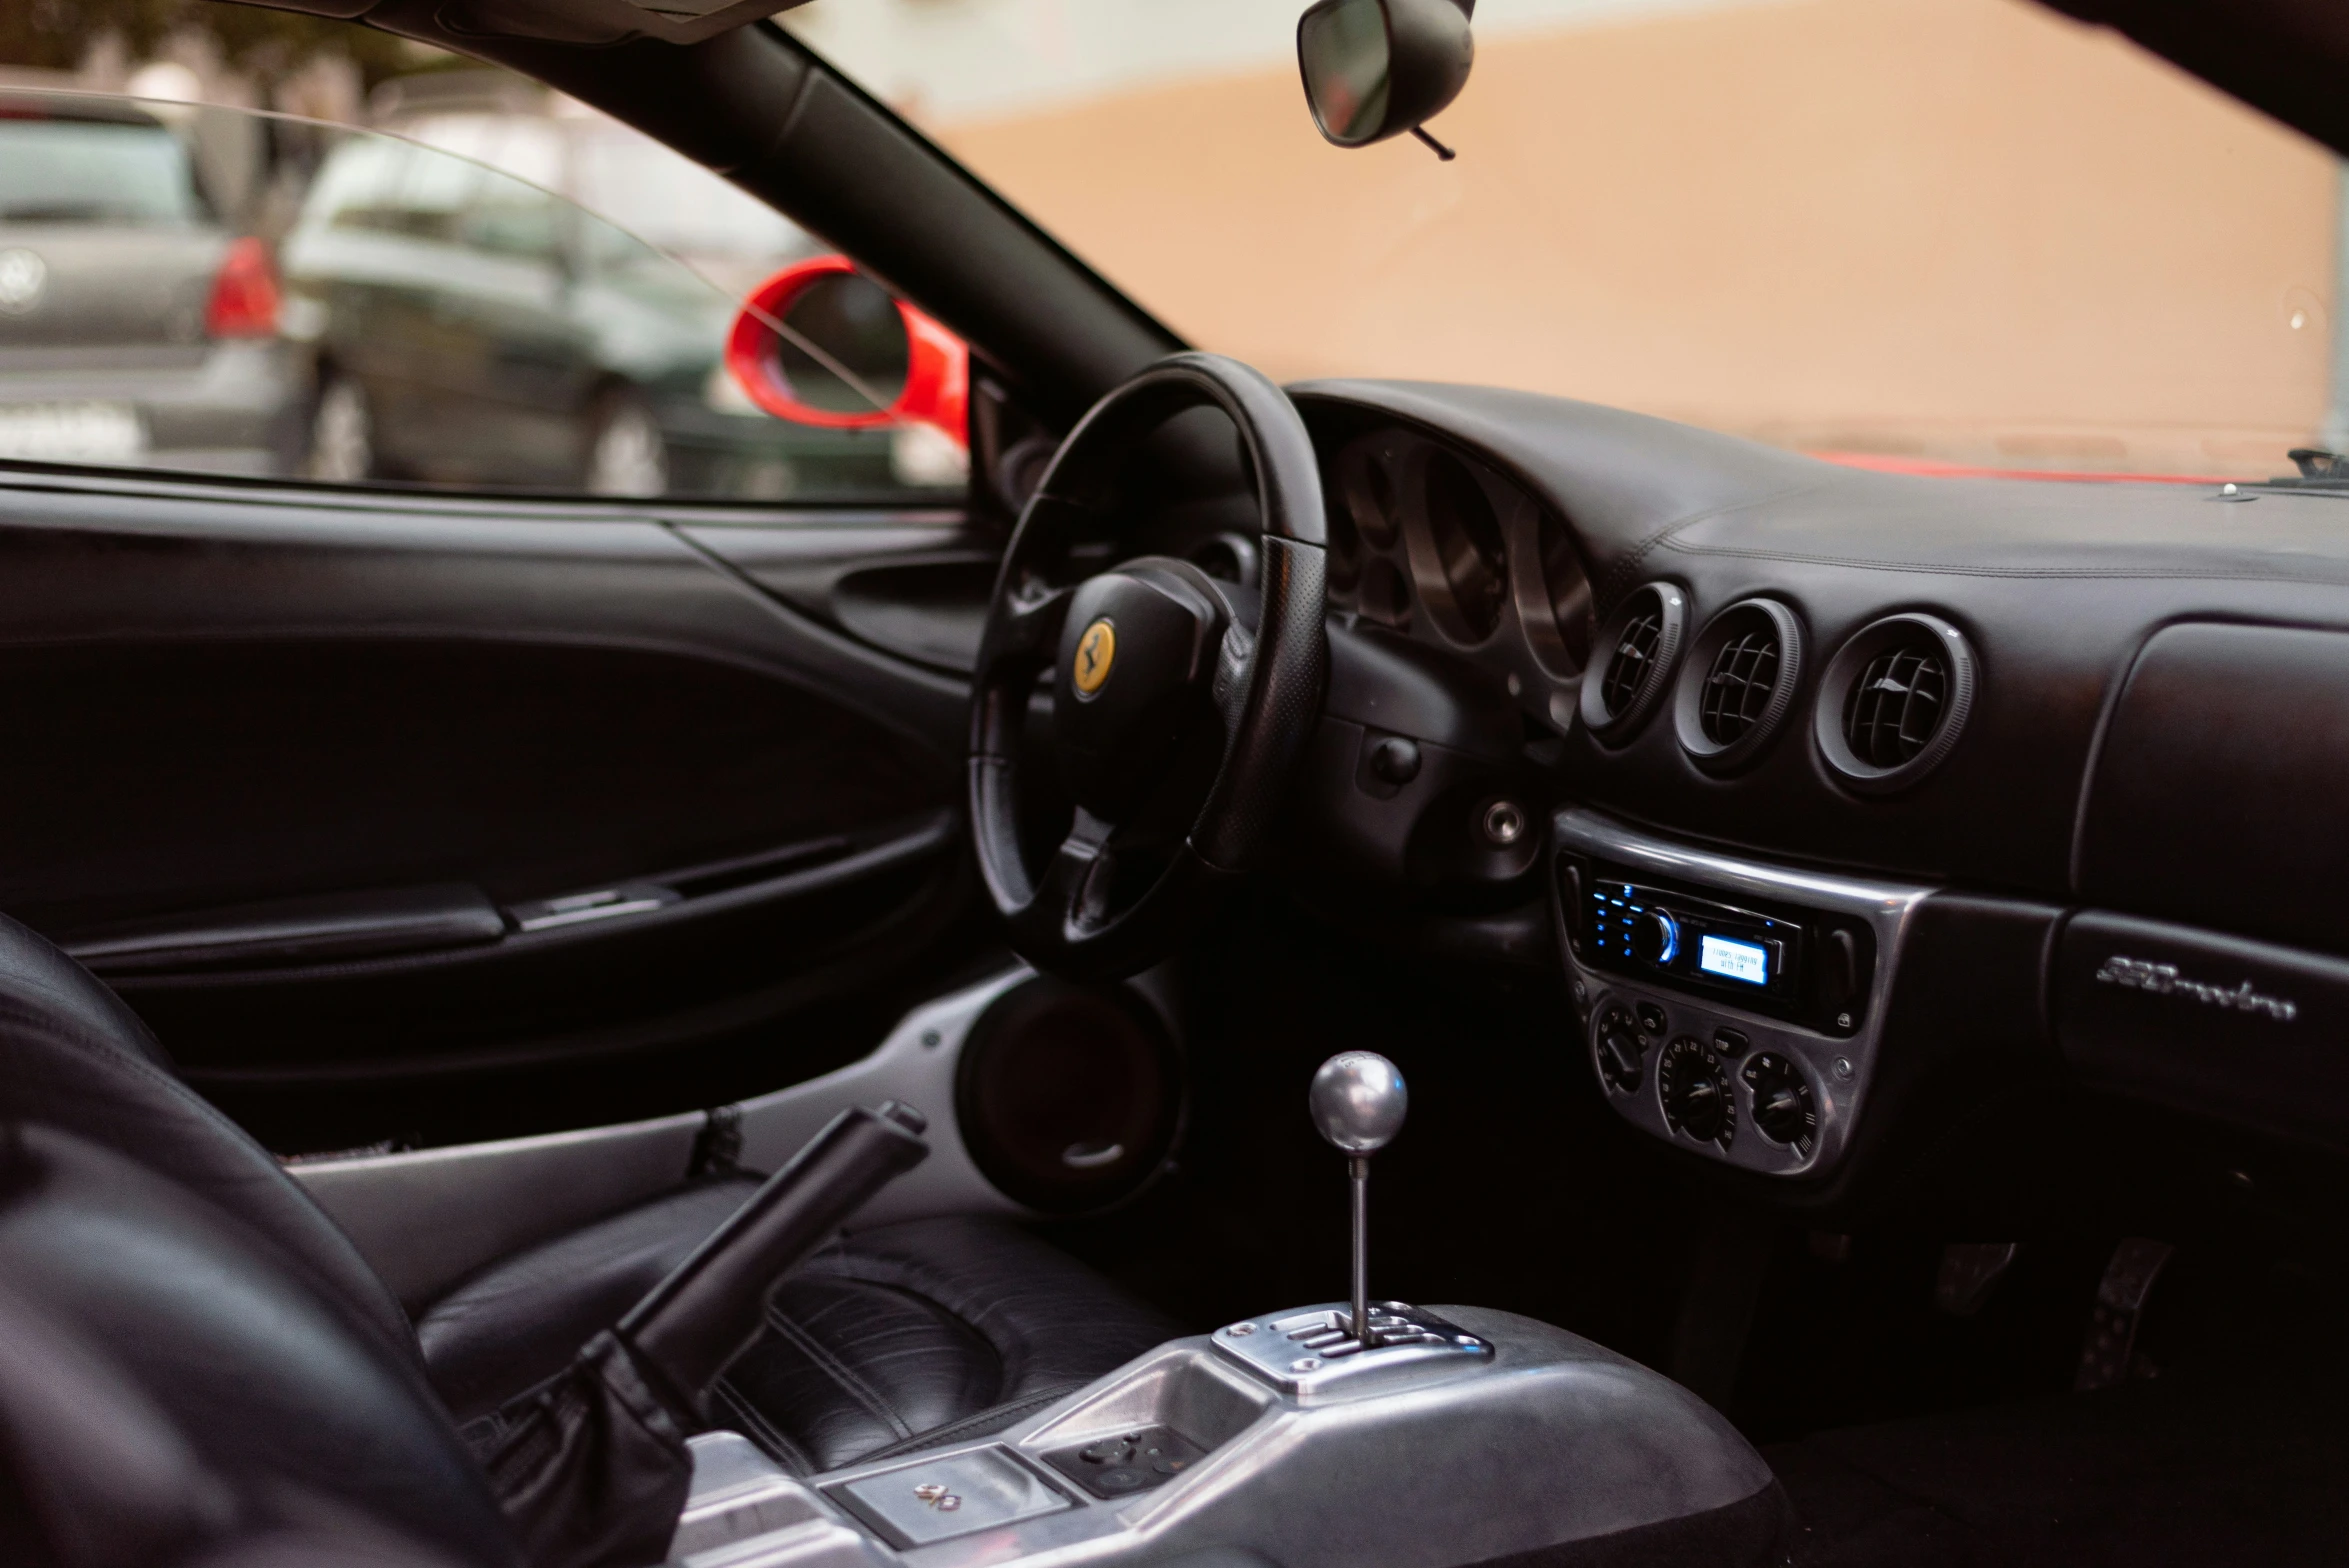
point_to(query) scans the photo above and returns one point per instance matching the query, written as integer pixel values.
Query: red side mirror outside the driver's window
(826, 346)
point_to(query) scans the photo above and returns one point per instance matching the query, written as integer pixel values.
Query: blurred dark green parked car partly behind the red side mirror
(478, 330)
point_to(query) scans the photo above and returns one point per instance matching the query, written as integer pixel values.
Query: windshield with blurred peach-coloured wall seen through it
(1923, 234)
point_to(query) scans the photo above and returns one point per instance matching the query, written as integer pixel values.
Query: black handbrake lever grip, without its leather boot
(692, 1327)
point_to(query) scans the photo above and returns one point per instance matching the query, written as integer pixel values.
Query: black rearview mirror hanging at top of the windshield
(1378, 69)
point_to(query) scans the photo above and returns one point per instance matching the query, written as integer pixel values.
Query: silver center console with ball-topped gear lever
(1342, 1435)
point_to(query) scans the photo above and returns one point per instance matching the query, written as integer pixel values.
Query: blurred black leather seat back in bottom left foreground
(175, 1381)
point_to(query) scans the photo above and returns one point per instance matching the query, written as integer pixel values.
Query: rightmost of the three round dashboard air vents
(1894, 701)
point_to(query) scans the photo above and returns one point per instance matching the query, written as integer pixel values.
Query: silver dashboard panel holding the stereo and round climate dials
(1702, 999)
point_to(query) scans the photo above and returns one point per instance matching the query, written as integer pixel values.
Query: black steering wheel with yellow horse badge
(1180, 703)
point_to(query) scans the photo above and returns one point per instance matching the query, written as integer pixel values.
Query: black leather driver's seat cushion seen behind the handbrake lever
(877, 1341)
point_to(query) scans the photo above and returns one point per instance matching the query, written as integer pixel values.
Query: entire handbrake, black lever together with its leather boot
(595, 1471)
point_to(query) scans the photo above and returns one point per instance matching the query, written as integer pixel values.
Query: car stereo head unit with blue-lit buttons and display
(1789, 961)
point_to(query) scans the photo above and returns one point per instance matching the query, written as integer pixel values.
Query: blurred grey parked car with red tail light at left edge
(135, 325)
